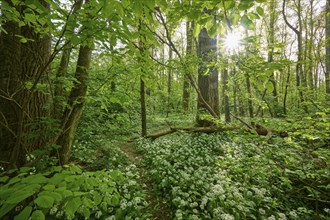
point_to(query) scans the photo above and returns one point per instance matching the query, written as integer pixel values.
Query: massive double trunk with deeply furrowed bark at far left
(23, 67)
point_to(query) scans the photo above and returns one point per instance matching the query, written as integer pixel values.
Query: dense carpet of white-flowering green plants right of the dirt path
(226, 176)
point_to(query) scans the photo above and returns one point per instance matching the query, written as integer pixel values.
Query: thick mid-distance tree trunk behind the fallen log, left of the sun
(207, 76)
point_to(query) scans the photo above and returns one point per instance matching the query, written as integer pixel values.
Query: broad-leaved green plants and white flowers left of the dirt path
(71, 193)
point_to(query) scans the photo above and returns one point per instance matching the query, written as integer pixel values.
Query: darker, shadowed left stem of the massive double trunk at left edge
(10, 84)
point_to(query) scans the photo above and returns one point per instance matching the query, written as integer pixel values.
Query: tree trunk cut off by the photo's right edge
(327, 47)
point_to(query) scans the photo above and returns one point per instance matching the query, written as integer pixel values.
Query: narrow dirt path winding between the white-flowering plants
(157, 206)
